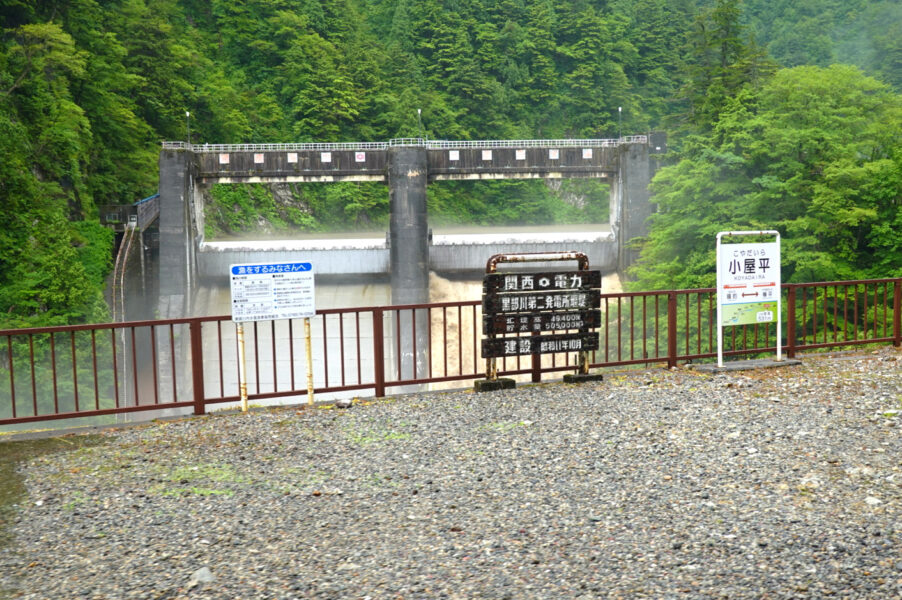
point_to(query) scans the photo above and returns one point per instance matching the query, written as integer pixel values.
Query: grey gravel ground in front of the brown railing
(778, 483)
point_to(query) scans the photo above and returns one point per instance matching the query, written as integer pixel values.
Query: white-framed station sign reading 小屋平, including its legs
(748, 284)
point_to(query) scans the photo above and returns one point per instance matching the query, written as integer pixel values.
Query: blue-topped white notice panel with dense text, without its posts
(268, 291)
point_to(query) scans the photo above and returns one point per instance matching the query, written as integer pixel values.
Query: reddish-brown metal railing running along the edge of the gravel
(108, 369)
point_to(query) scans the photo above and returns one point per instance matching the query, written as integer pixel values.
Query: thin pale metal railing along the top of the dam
(428, 144)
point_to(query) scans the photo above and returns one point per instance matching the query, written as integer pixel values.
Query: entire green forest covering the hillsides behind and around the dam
(780, 115)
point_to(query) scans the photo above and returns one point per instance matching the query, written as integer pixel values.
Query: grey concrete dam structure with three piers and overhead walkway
(407, 166)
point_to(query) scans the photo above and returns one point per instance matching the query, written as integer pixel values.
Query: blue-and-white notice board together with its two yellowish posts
(266, 292)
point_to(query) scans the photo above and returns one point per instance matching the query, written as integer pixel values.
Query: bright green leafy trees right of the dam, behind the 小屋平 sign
(813, 152)
